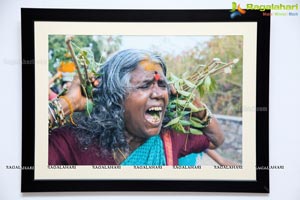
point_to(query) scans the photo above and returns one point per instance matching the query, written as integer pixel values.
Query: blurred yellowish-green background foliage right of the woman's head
(226, 98)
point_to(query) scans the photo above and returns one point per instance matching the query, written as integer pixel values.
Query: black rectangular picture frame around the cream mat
(30, 184)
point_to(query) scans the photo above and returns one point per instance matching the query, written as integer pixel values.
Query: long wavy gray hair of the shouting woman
(106, 124)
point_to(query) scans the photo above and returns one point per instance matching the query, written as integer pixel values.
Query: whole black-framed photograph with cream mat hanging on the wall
(218, 55)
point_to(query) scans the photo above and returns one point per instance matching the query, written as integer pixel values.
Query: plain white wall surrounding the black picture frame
(284, 99)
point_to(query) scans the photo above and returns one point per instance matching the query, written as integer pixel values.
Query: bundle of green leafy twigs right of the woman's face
(200, 81)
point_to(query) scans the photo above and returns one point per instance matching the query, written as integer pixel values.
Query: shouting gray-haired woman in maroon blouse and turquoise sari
(126, 124)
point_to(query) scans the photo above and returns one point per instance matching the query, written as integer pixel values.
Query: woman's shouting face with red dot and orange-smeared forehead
(148, 90)
